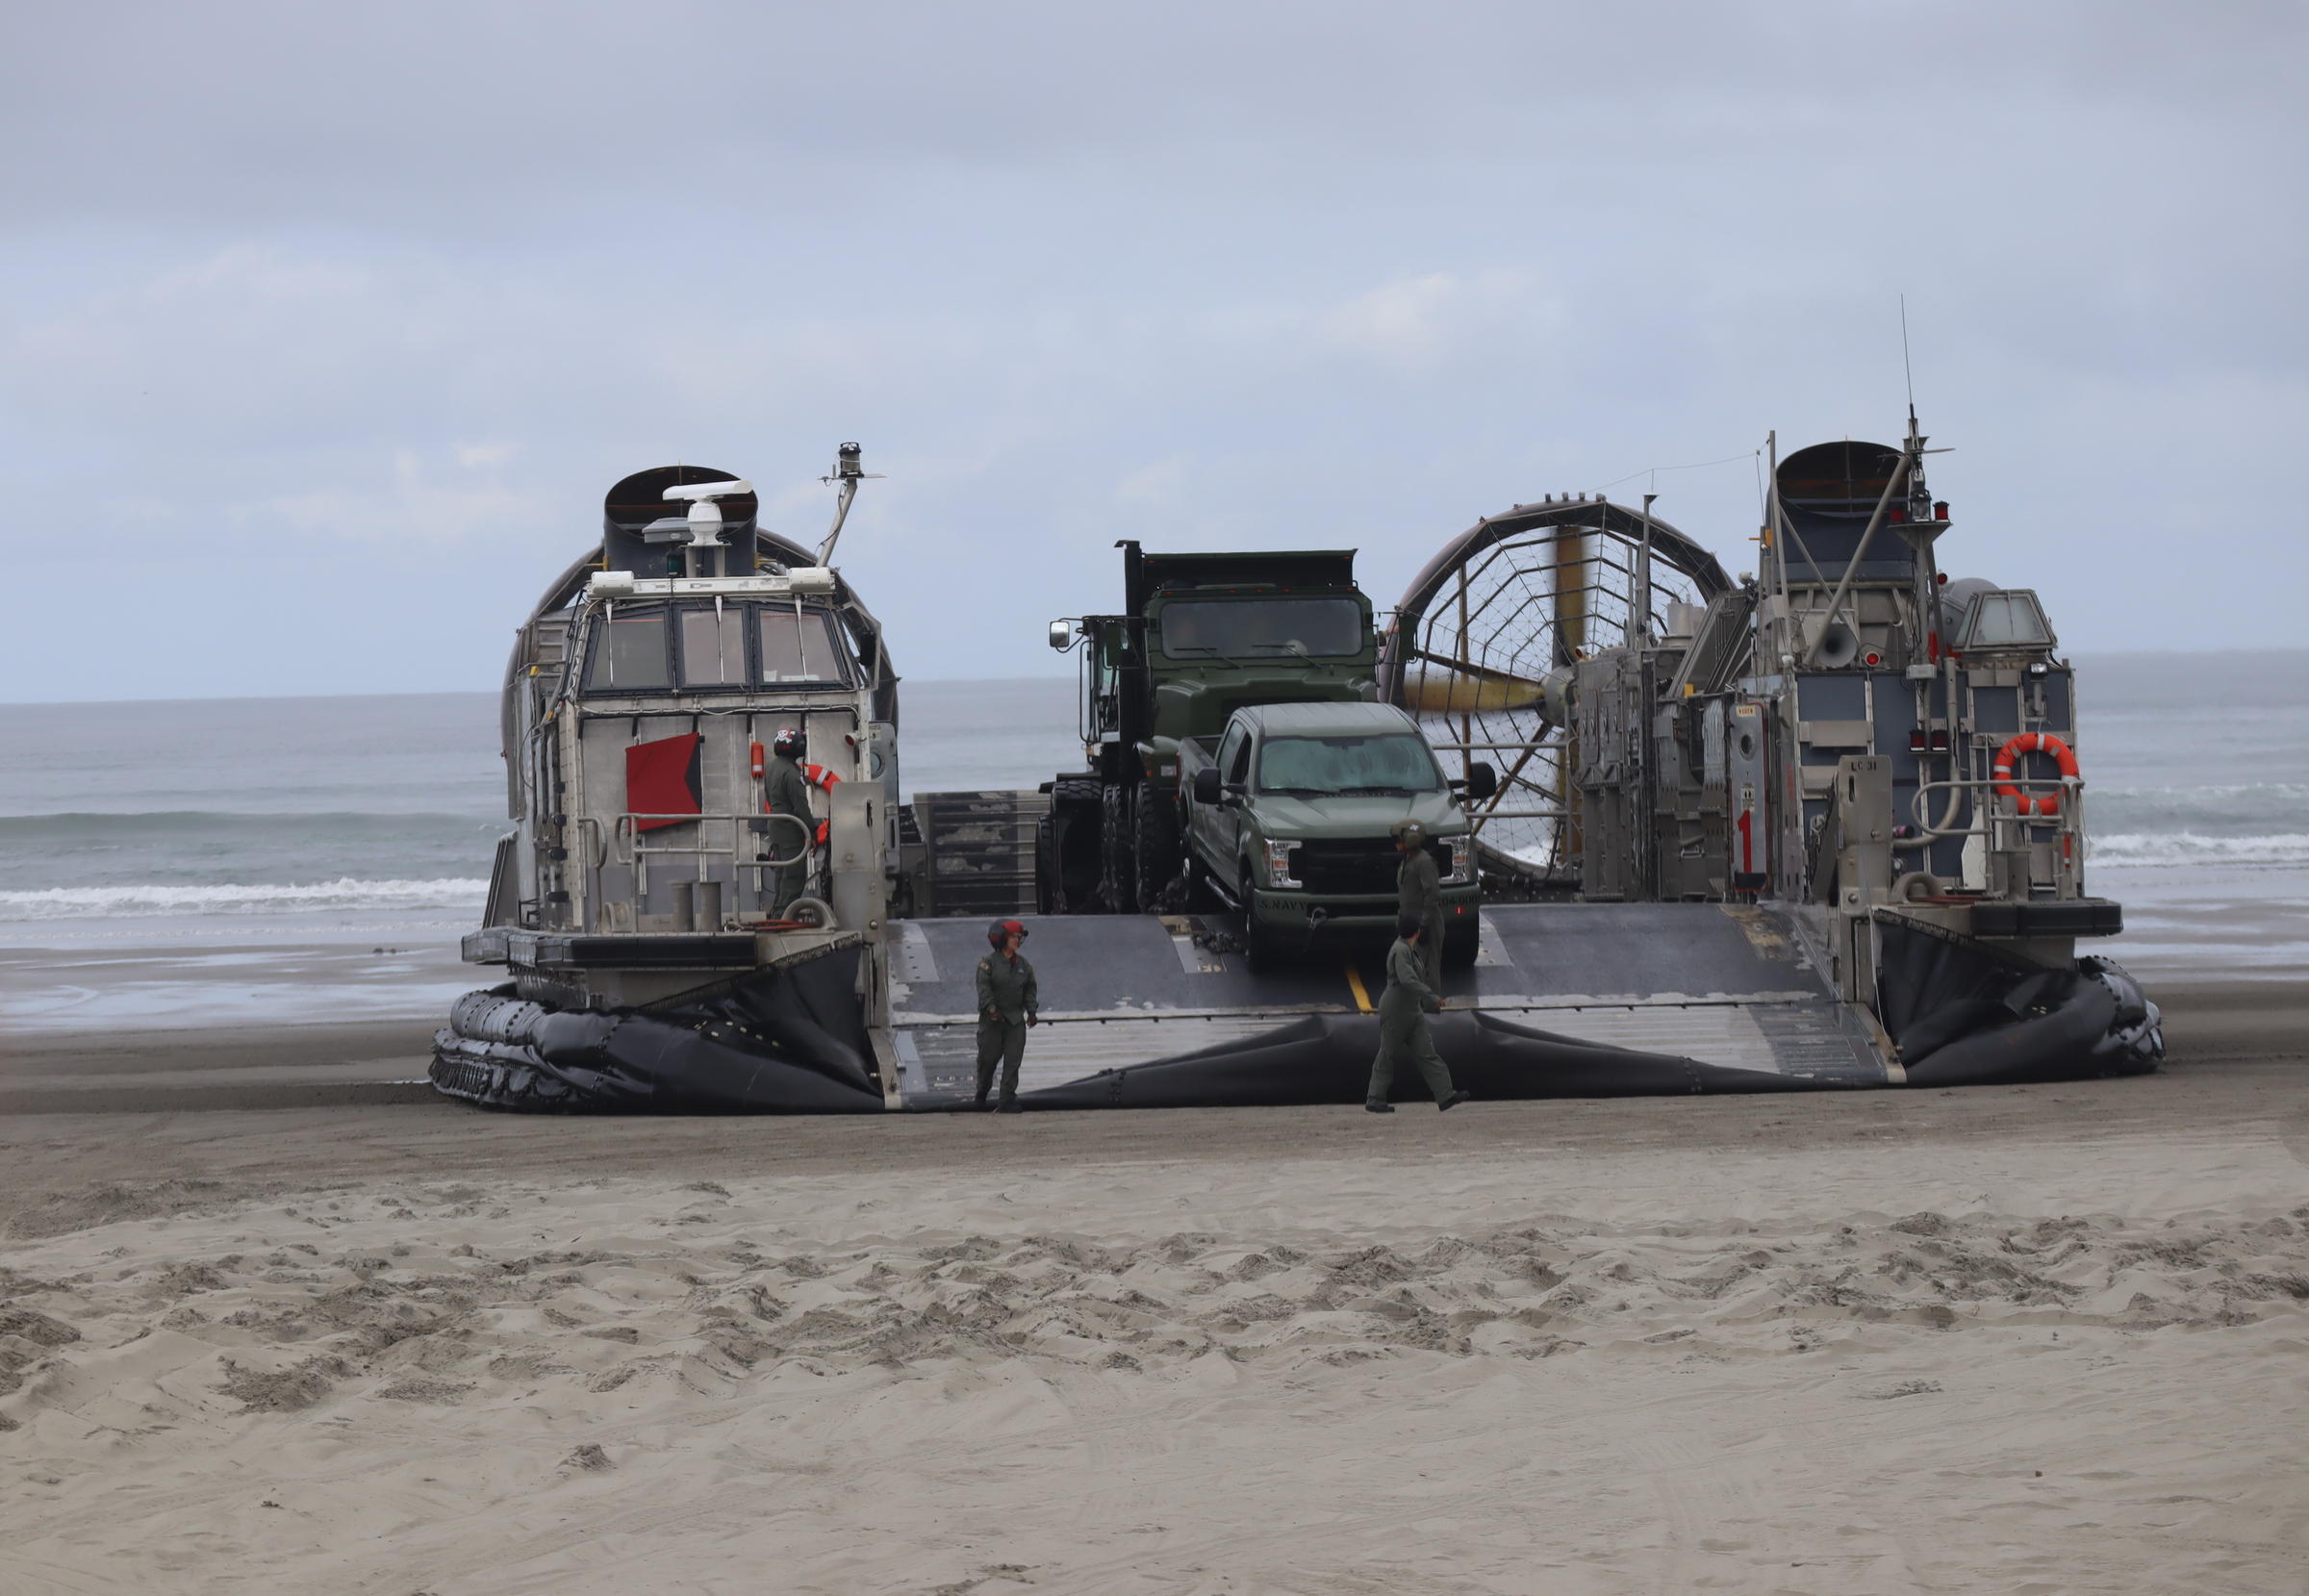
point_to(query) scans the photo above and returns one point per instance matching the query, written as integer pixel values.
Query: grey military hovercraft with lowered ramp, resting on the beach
(1742, 835)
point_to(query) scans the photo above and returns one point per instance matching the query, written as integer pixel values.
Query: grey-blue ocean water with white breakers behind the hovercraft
(375, 819)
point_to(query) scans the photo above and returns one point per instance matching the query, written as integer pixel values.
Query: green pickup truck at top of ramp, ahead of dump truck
(1290, 821)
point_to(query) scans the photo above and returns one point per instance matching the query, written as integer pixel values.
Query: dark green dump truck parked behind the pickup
(1200, 636)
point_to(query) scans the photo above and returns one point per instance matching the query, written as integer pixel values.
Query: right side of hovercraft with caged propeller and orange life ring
(1867, 766)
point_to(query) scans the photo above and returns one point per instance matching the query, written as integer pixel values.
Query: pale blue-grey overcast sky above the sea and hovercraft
(327, 327)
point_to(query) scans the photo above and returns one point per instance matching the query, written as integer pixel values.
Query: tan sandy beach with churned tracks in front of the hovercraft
(274, 1320)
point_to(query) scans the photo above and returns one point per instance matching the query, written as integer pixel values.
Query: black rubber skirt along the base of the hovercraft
(791, 1041)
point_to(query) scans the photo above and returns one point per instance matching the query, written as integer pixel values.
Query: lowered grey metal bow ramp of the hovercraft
(1562, 1001)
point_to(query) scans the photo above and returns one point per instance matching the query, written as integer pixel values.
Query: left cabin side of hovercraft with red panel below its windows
(641, 703)
